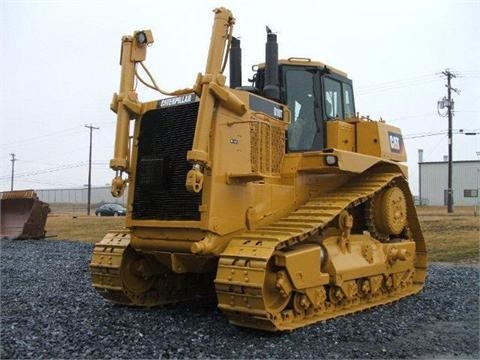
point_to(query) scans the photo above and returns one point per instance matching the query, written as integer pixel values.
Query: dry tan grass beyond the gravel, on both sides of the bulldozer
(450, 237)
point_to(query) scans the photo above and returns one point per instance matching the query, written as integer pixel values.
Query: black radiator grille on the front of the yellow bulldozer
(165, 137)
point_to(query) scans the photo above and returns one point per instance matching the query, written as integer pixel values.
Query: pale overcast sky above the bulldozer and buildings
(59, 69)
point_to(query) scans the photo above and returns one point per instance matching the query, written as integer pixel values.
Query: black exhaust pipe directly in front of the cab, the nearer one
(271, 89)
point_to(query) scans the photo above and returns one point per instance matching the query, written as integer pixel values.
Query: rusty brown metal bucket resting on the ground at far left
(23, 215)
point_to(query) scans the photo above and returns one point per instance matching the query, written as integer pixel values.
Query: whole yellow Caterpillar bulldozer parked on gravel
(276, 196)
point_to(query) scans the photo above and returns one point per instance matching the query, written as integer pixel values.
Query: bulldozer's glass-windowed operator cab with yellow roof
(314, 93)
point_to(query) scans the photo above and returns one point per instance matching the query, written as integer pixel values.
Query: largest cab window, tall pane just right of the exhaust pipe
(299, 85)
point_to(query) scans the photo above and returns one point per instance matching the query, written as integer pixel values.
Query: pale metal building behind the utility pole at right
(433, 180)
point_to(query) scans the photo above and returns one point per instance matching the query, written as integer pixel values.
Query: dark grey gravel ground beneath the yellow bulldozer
(49, 310)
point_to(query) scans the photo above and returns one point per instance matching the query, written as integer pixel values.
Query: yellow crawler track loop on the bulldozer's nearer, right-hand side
(244, 278)
